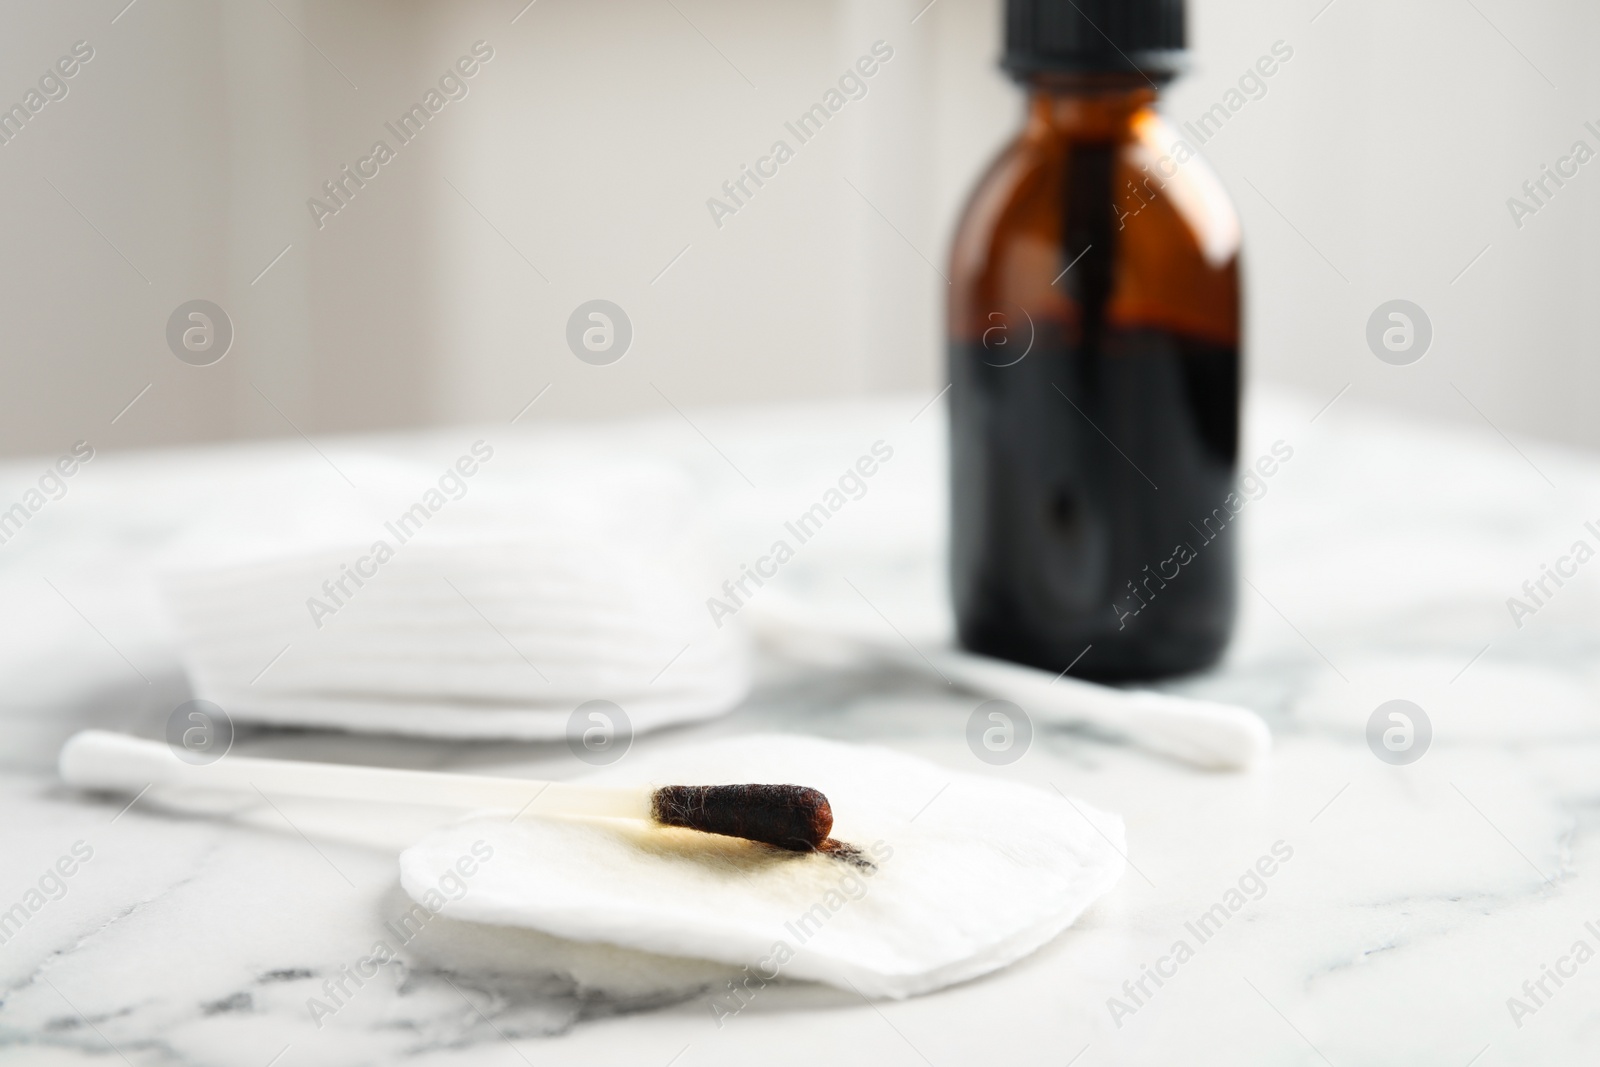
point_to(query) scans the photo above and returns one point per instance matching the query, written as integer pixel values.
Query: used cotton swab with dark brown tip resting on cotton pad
(788, 817)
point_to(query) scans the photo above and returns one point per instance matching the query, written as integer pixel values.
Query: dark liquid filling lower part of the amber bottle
(1092, 478)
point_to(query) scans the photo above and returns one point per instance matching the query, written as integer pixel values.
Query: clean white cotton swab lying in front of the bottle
(1202, 733)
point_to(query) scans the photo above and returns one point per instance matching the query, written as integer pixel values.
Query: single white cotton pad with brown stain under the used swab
(956, 876)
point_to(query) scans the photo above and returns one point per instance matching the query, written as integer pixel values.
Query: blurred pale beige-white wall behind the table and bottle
(1377, 167)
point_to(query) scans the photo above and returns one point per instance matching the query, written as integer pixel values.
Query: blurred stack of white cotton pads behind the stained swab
(497, 620)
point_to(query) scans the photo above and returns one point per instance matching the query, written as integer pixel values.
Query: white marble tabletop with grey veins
(1414, 905)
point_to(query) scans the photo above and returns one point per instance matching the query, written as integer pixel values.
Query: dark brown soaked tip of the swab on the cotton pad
(790, 817)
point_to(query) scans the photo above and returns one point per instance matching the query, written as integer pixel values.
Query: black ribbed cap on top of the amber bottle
(1094, 38)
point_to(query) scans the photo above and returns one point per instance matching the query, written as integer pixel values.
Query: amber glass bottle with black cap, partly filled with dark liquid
(1094, 346)
